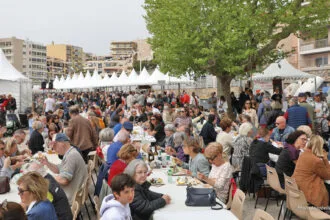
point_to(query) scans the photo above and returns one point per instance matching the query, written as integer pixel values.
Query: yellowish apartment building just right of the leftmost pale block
(71, 55)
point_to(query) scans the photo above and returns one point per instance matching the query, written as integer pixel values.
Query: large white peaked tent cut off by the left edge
(15, 83)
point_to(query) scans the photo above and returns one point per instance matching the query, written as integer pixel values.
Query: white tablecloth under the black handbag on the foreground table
(177, 210)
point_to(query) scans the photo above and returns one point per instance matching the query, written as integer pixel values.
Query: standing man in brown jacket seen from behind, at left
(81, 132)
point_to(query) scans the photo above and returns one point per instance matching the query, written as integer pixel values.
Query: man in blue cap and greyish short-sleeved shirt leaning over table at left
(72, 171)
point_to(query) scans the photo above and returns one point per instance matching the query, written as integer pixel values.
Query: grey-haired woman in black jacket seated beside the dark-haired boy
(145, 202)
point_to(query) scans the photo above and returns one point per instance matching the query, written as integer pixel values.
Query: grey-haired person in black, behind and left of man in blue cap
(36, 141)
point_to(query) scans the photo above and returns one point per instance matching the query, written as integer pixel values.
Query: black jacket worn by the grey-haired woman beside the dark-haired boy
(145, 202)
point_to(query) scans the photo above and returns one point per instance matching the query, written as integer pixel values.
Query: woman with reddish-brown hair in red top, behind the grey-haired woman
(126, 154)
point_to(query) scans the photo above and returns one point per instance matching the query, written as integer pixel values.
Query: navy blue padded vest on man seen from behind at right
(296, 116)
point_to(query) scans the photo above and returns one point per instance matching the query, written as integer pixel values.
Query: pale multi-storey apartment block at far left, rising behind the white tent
(27, 57)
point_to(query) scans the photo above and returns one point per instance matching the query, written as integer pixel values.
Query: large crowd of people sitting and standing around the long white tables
(204, 141)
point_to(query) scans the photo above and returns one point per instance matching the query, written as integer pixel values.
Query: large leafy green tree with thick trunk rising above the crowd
(227, 38)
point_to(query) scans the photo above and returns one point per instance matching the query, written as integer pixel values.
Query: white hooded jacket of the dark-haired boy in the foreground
(114, 210)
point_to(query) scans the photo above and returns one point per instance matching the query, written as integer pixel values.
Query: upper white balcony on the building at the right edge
(314, 47)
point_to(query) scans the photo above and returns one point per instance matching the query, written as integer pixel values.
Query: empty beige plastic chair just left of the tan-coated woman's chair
(274, 182)
